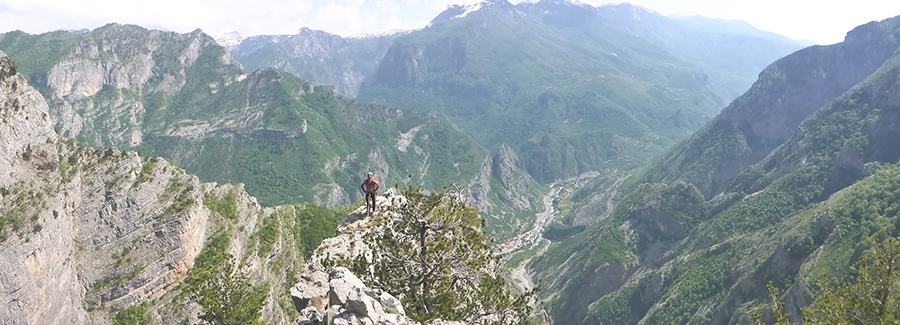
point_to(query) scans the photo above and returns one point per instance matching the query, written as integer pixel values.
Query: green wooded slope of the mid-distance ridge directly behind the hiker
(283, 165)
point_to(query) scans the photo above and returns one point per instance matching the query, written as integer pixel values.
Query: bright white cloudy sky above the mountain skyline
(819, 21)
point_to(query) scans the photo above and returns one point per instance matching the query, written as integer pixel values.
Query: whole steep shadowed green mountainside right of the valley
(790, 184)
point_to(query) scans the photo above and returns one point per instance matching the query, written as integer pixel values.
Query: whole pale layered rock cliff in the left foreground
(86, 232)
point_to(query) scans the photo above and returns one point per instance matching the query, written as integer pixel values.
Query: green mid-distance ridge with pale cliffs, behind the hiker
(180, 96)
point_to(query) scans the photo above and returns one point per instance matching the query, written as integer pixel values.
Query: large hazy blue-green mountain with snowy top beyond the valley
(571, 88)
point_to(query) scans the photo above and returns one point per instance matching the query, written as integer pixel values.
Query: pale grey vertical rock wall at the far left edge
(39, 280)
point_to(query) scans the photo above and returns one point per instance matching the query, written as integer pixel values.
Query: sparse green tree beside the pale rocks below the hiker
(435, 256)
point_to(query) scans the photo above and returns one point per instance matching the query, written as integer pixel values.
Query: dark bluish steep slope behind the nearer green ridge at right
(787, 92)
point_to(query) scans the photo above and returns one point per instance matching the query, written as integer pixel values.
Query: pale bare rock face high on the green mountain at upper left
(95, 89)
